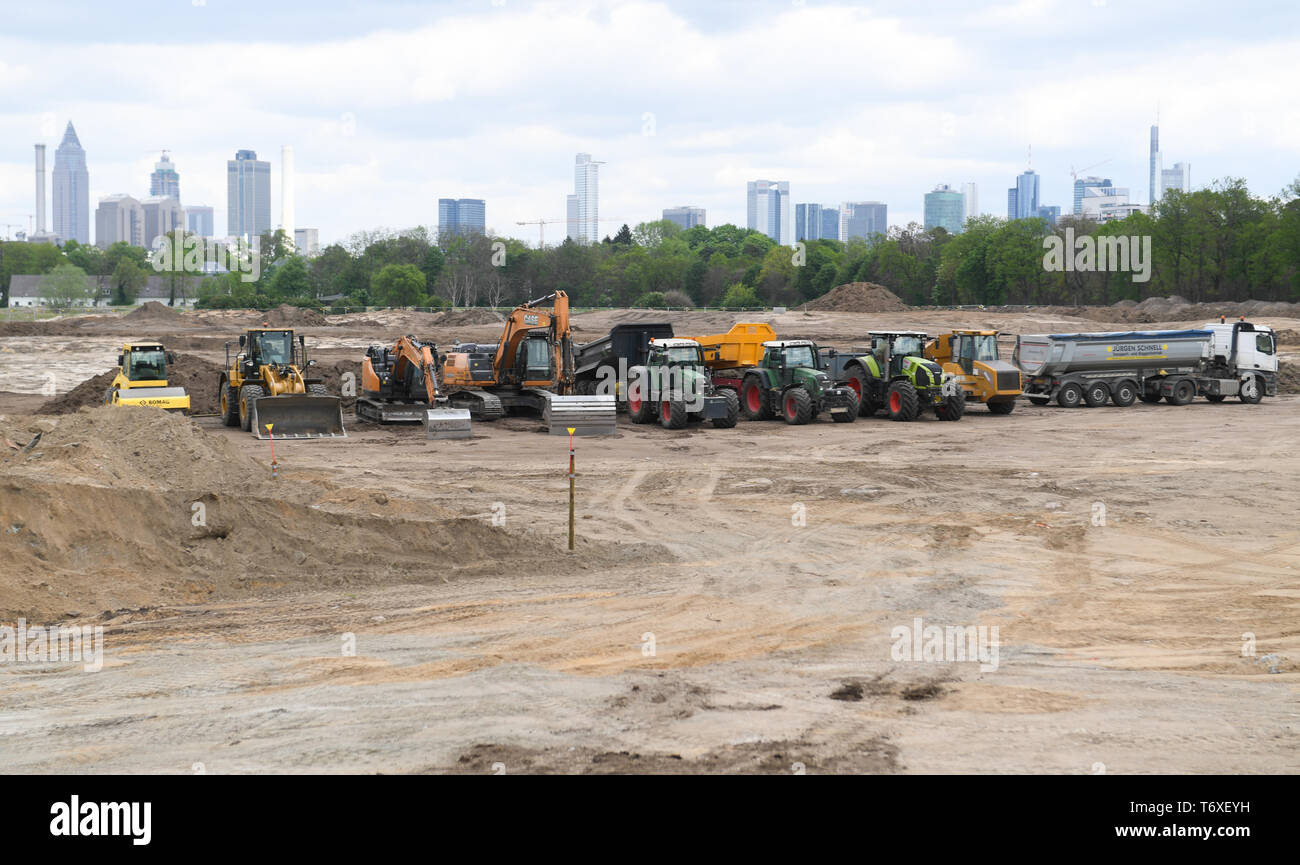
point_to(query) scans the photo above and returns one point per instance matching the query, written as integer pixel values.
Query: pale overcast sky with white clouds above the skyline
(391, 106)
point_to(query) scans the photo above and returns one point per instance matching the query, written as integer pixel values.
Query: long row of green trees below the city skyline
(1219, 244)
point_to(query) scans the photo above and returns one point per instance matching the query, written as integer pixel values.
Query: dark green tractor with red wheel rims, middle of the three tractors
(791, 383)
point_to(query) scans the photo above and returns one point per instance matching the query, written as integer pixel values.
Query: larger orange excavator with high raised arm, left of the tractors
(530, 370)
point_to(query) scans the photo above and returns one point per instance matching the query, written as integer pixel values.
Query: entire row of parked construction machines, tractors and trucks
(268, 387)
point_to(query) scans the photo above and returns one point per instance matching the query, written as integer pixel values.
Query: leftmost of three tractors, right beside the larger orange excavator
(675, 387)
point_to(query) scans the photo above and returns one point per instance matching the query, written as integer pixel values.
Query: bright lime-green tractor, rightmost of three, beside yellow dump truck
(898, 378)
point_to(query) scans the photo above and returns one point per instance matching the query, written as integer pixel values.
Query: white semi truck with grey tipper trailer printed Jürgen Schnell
(1216, 361)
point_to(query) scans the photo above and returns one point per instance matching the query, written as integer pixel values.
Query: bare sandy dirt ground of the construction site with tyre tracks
(735, 600)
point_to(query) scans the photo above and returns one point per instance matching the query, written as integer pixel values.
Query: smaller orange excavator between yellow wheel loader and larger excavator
(400, 384)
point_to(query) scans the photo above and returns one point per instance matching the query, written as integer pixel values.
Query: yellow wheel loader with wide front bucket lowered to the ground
(265, 384)
